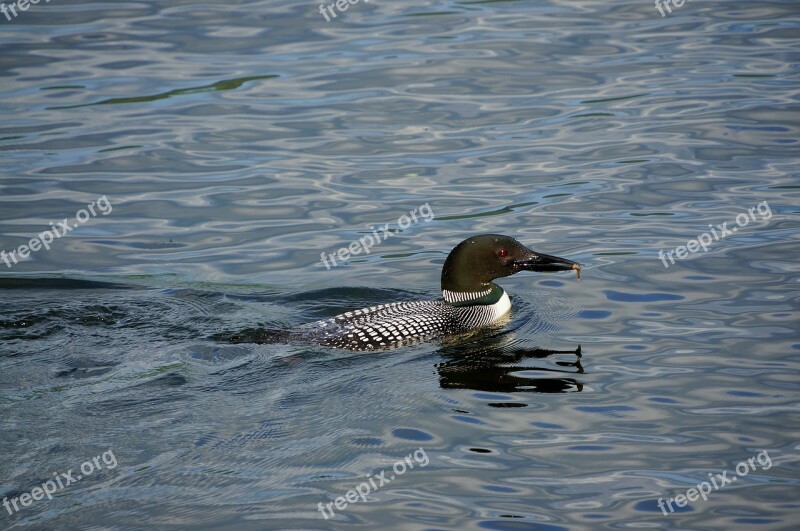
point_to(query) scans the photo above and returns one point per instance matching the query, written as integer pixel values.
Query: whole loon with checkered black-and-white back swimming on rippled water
(470, 299)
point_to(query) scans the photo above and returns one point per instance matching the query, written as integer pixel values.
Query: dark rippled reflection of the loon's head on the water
(502, 366)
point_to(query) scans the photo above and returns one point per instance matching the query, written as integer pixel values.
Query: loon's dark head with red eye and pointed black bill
(474, 263)
